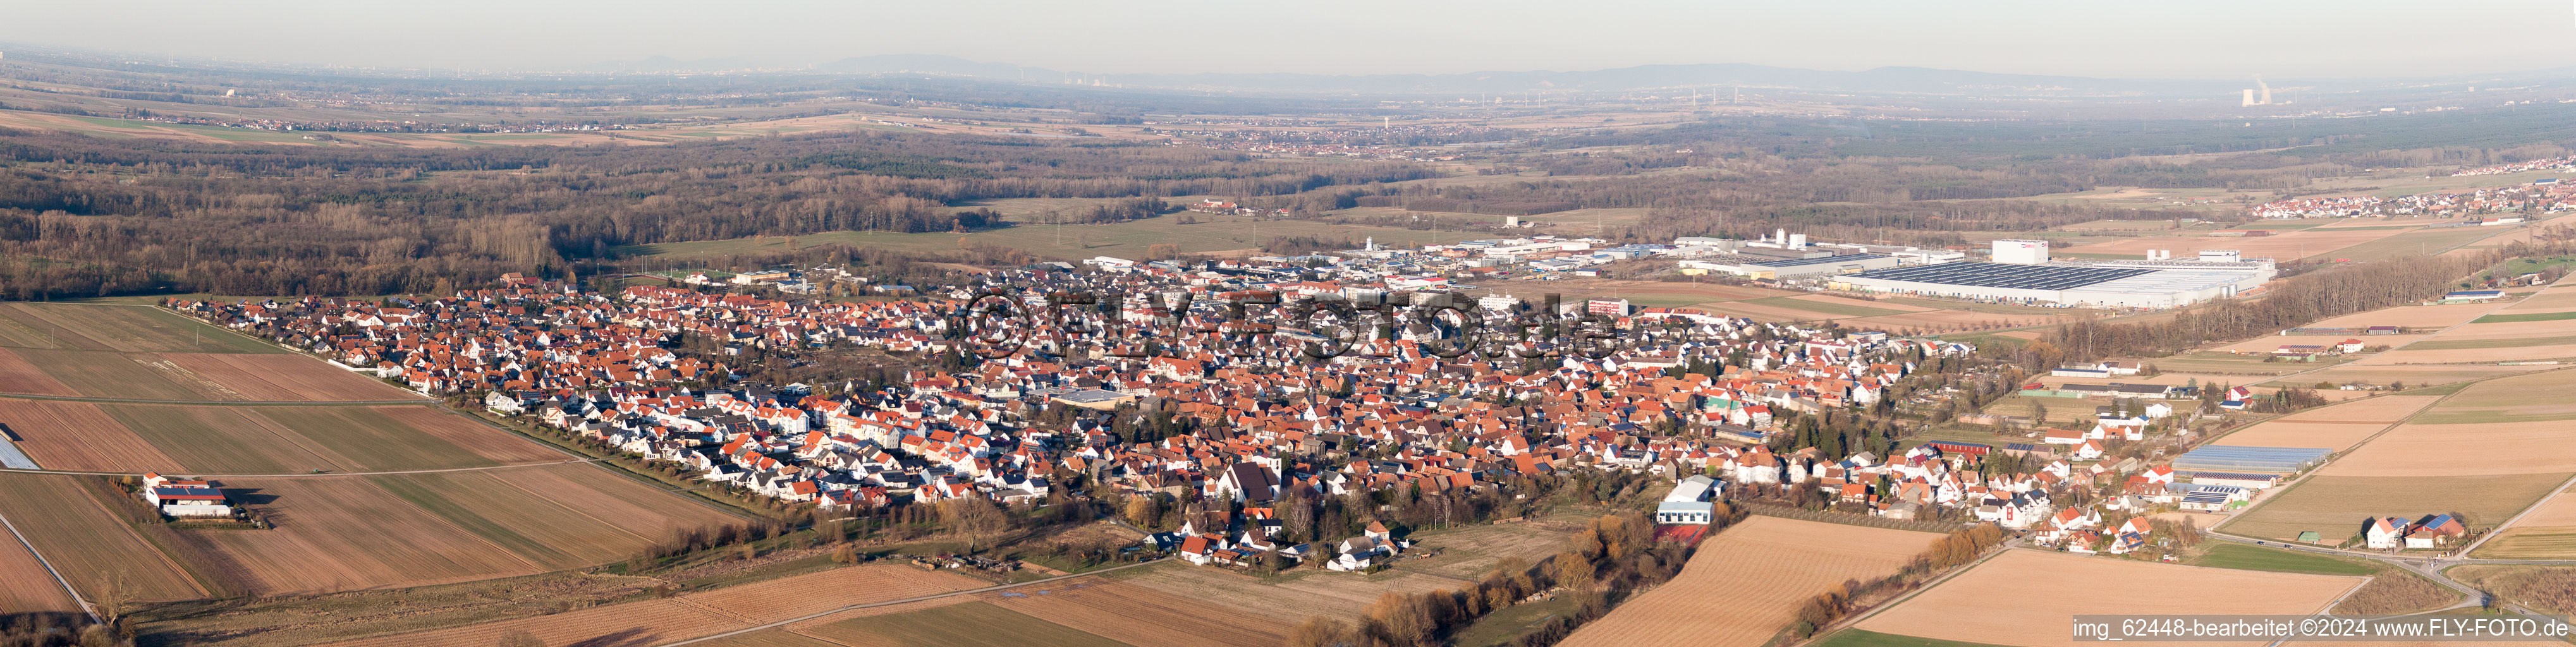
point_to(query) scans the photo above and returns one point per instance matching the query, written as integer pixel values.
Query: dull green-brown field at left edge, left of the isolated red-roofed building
(91, 545)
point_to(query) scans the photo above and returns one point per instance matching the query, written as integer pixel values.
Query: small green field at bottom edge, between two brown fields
(960, 625)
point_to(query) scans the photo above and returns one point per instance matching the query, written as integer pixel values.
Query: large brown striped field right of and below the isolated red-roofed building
(419, 530)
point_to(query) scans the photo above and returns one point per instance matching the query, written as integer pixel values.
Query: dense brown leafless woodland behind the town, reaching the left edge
(84, 218)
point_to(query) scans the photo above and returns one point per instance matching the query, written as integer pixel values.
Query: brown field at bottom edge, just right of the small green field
(1140, 615)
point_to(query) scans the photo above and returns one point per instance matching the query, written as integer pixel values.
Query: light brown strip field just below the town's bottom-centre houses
(1315, 594)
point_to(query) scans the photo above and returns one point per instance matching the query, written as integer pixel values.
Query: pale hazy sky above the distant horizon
(2204, 40)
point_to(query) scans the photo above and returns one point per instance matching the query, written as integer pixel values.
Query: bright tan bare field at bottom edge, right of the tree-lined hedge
(1753, 576)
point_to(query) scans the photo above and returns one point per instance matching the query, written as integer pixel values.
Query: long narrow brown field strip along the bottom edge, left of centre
(697, 615)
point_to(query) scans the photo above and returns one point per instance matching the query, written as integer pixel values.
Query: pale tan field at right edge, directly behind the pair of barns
(2338, 507)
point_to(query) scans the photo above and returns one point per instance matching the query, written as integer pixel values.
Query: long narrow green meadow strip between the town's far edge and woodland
(1078, 241)
